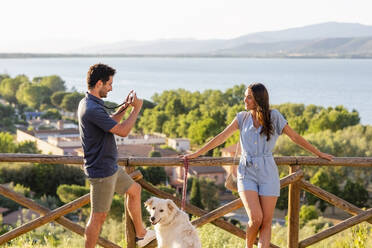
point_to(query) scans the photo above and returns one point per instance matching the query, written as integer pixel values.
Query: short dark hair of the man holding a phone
(99, 72)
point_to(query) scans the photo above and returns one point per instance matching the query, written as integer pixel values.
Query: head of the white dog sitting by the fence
(160, 210)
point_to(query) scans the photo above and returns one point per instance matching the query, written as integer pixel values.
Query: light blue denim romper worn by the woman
(257, 170)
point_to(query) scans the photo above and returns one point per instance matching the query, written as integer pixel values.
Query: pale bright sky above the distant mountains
(62, 26)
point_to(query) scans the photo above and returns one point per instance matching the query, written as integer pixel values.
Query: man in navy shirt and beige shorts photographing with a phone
(97, 131)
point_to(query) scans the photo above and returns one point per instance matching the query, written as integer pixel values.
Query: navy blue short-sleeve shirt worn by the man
(100, 151)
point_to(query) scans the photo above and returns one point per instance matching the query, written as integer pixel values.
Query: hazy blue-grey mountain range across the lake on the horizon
(330, 39)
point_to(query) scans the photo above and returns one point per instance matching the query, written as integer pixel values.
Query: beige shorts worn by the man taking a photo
(102, 189)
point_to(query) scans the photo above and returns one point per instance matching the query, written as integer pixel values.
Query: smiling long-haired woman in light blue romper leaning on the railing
(257, 175)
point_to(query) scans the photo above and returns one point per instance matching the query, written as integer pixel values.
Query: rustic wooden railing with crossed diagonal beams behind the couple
(294, 180)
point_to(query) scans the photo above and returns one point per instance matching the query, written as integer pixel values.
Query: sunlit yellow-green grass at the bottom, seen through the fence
(54, 235)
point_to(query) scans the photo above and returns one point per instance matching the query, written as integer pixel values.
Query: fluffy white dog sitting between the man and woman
(172, 226)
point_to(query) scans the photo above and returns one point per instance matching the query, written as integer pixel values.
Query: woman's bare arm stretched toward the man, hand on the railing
(216, 141)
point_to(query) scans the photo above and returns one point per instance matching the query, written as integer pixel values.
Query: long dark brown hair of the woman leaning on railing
(261, 97)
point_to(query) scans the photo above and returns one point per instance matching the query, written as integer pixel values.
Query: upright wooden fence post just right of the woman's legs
(293, 210)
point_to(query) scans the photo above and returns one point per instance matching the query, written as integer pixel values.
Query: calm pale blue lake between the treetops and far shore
(325, 82)
